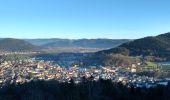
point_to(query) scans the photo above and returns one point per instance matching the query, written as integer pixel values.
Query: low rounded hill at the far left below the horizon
(9, 44)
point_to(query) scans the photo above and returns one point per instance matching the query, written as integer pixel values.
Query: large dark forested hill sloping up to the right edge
(158, 46)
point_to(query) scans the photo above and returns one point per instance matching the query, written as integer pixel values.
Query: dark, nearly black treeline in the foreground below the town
(87, 90)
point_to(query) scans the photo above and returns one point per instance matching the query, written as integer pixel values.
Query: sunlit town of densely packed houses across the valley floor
(30, 69)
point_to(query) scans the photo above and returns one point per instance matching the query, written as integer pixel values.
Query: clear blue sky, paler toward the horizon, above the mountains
(75, 19)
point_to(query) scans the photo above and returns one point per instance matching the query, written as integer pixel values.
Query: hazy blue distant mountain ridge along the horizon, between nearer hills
(84, 43)
